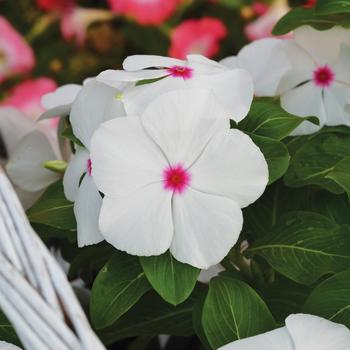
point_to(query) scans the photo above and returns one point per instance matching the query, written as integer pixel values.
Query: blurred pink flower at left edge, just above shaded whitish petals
(26, 97)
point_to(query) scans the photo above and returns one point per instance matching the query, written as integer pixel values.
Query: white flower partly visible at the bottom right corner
(302, 332)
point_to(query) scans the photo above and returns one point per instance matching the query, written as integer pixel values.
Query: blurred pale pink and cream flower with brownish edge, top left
(75, 22)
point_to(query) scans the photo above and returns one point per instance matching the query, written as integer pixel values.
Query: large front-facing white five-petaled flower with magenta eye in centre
(176, 178)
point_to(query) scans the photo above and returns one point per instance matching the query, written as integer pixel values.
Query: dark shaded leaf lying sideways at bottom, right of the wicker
(153, 316)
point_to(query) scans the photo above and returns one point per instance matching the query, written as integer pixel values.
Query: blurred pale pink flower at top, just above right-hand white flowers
(262, 27)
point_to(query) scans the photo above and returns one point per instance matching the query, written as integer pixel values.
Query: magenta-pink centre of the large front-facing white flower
(176, 178)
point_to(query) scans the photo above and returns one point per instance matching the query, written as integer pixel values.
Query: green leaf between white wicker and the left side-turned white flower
(53, 209)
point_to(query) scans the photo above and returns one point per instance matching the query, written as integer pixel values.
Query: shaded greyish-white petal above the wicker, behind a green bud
(25, 166)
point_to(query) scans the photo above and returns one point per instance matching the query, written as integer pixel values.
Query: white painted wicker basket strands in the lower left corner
(35, 294)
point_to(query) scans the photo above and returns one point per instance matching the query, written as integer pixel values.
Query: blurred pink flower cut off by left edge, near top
(16, 56)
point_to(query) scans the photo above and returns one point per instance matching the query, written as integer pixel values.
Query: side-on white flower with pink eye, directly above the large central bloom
(232, 87)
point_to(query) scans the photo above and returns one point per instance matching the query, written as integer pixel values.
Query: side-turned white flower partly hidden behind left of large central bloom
(95, 103)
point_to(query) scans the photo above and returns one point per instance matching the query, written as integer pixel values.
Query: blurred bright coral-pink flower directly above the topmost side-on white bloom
(200, 36)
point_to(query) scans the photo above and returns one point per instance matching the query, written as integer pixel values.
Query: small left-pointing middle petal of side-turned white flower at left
(75, 170)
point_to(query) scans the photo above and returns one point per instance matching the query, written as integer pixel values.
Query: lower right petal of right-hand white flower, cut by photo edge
(335, 99)
